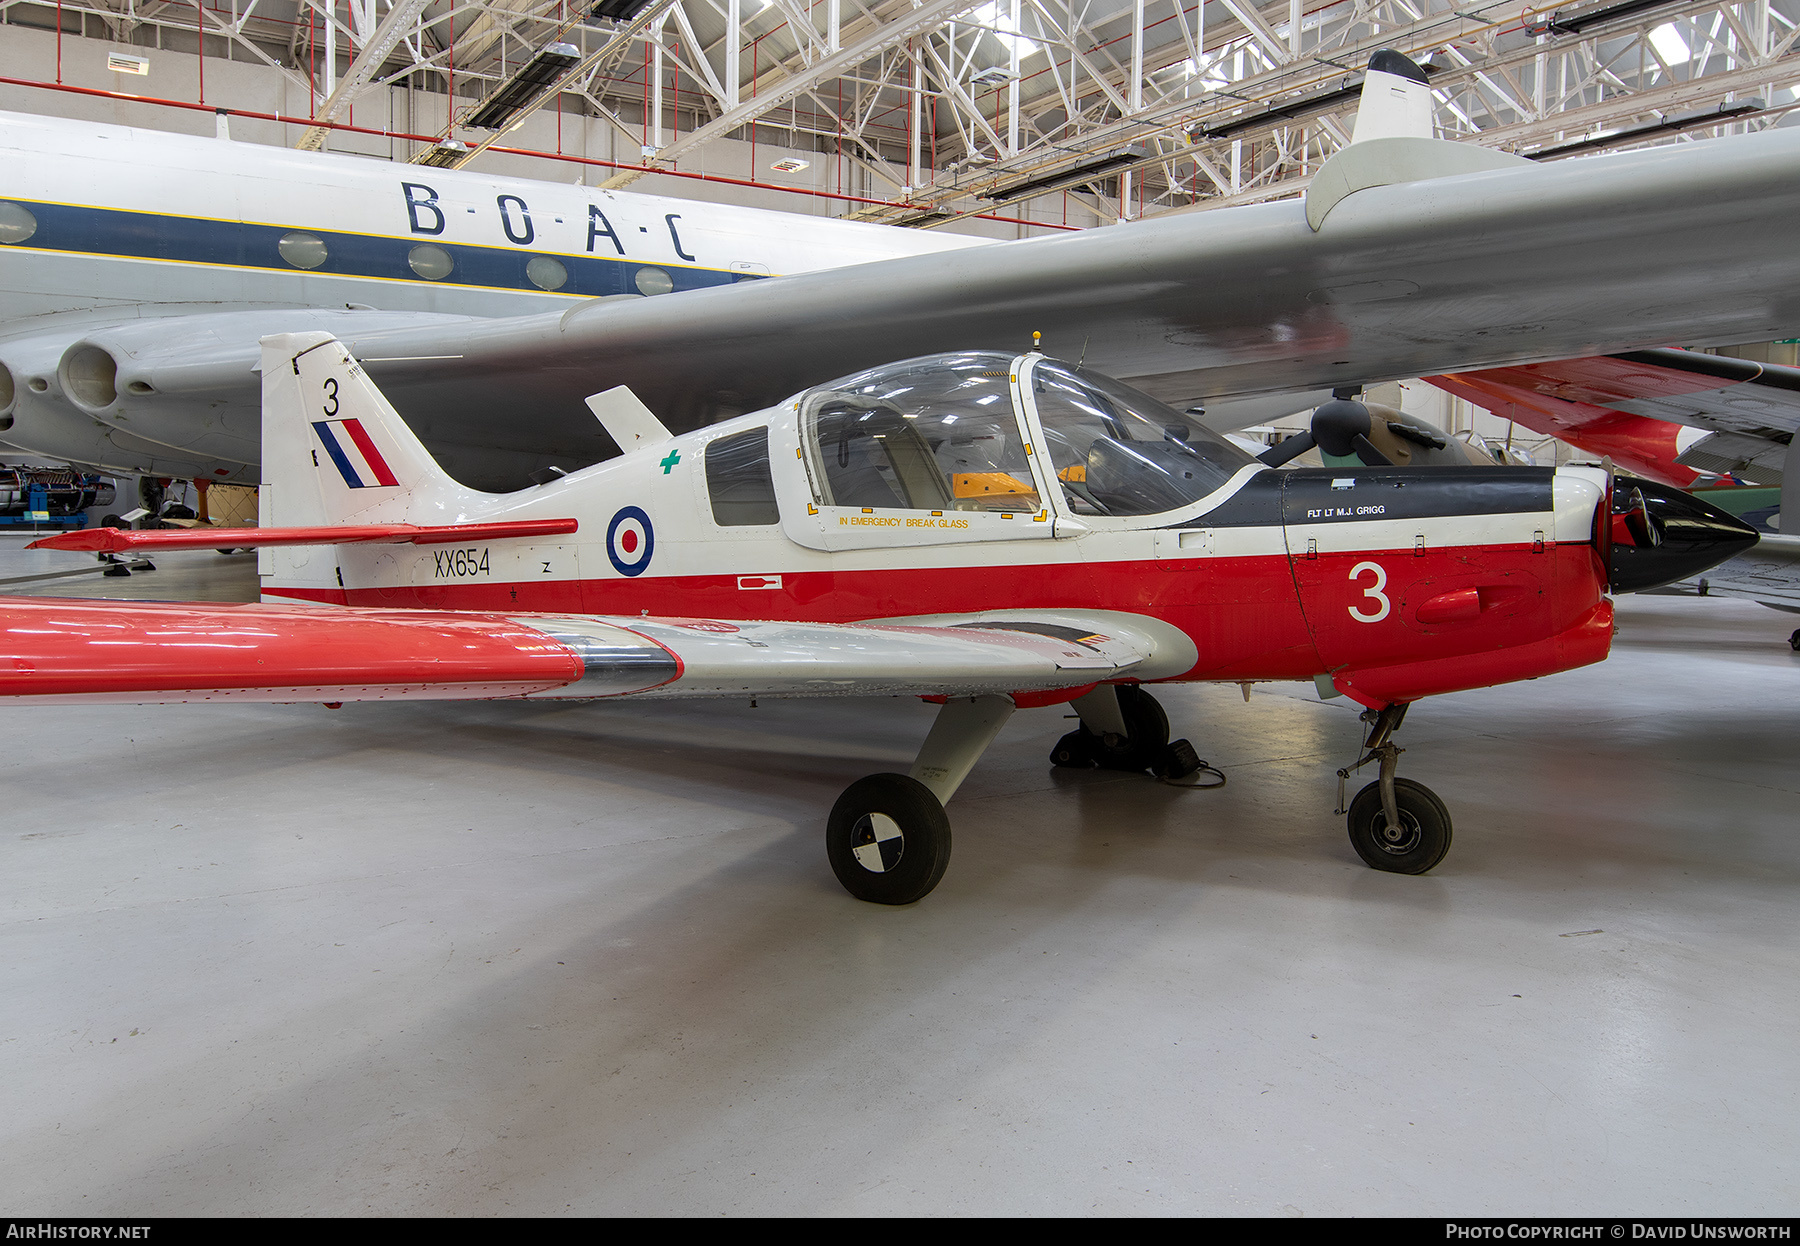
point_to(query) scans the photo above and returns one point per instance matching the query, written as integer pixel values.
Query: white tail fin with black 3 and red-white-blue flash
(334, 449)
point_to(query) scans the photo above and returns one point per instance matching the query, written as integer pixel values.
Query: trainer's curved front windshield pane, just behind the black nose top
(1120, 453)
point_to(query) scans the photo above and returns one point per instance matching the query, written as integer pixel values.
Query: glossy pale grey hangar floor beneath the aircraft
(552, 959)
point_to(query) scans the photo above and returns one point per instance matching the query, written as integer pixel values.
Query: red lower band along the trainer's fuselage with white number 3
(1250, 618)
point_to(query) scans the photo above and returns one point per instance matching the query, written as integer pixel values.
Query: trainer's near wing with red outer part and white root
(174, 653)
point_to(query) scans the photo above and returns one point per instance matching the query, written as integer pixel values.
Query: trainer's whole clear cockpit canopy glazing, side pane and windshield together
(942, 433)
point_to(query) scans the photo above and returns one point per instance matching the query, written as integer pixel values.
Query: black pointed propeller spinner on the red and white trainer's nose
(1662, 536)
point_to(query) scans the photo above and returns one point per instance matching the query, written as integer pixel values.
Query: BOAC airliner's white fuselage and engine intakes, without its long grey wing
(132, 262)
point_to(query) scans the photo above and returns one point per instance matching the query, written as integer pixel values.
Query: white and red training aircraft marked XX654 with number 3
(987, 530)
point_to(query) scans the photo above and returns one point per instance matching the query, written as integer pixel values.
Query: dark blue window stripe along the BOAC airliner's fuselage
(103, 231)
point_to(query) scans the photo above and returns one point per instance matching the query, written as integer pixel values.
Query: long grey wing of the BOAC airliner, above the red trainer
(1475, 269)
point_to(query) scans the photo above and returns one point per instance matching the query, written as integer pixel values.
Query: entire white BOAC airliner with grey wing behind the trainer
(1408, 257)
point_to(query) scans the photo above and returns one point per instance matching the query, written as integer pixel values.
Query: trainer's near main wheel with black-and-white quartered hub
(904, 854)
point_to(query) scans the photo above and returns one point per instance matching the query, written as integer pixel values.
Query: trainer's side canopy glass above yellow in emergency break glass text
(931, 433)
